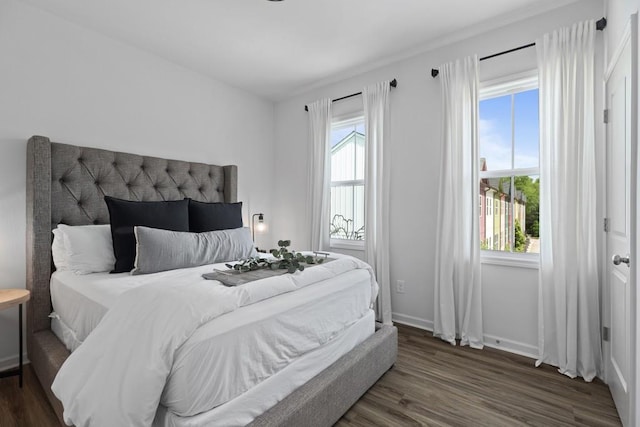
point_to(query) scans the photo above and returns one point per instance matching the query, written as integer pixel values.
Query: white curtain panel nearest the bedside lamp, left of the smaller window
(319, 167)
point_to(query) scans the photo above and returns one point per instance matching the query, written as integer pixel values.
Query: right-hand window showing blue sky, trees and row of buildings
(509, 165)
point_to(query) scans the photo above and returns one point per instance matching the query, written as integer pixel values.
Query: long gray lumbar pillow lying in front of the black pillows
(162, 250)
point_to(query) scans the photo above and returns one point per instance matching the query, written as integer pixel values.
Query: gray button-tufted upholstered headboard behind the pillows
(67, 184)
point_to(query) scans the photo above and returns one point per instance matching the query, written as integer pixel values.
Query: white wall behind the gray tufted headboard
(78, 87)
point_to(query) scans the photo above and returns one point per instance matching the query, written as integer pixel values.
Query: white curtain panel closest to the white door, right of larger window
(568, 310)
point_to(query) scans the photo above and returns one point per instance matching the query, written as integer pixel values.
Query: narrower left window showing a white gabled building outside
(347, 181)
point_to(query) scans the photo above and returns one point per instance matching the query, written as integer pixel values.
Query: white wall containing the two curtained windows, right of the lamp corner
(509, 293)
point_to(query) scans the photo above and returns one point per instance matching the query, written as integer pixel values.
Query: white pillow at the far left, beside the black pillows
(88, 248)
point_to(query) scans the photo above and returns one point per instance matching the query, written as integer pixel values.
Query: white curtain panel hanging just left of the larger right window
(457, 290)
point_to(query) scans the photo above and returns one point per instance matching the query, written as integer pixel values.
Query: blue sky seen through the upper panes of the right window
(495, 130)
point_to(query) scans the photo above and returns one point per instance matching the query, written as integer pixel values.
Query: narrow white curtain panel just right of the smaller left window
(377, 179)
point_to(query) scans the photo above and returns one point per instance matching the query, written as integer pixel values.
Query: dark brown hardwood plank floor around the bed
(432, 384)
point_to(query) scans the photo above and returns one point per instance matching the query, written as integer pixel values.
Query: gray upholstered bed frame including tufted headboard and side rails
(67, 184)
